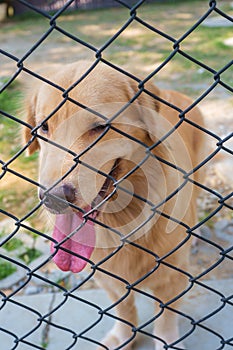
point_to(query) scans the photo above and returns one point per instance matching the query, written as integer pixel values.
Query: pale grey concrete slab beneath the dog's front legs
(78, 316)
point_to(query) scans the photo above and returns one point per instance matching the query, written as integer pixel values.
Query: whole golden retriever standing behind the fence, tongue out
(116, 177)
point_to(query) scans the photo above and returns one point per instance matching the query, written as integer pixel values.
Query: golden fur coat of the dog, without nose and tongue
(106, 91)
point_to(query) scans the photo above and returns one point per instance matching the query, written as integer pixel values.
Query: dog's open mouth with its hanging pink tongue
(74, 232)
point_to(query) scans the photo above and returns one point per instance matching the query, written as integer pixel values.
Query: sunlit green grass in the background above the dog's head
(138, 48)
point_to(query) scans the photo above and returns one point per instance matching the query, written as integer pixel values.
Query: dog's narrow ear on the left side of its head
(29, 110)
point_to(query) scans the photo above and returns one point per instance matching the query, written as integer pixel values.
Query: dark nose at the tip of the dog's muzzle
(59, 198)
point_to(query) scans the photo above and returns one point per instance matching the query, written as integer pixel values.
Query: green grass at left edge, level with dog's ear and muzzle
(17, 197)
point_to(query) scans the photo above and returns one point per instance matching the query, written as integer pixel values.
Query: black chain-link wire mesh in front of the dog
(45, 319)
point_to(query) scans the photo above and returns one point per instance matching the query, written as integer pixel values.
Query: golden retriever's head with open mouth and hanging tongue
(97, 162)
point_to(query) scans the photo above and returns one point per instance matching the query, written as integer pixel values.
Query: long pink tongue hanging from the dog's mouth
(81, 243)
